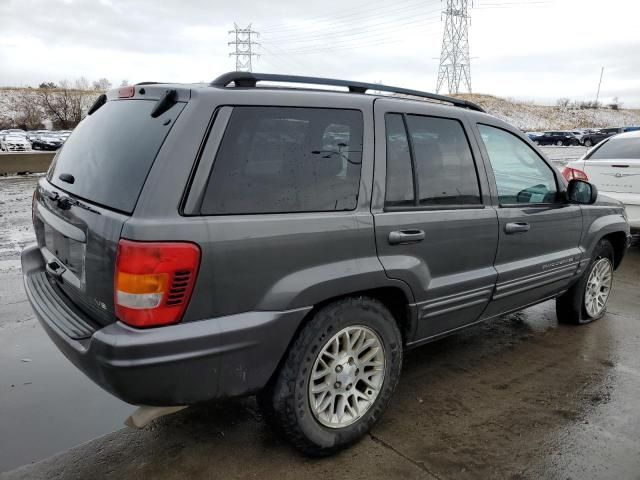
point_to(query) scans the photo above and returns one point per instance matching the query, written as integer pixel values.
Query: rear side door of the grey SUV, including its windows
(435, 229)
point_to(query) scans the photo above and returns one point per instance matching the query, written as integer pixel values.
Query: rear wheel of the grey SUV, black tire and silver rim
(287, 402)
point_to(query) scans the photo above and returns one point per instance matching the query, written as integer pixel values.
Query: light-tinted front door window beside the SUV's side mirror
(521, 175)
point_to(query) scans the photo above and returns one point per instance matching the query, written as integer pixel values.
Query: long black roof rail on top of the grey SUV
(250, 79)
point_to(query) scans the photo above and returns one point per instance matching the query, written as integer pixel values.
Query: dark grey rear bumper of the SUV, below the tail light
(173, 365)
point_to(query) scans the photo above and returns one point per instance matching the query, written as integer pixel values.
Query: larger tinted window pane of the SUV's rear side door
(444, 163)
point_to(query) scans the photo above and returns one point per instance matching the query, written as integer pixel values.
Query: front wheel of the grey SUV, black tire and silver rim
(573, 306)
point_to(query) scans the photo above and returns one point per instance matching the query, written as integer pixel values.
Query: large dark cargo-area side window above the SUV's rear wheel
(281, 160)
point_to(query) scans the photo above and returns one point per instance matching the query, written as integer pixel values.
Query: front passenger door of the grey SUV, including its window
(538, 253)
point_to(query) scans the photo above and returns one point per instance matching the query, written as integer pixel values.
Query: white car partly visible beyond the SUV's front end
(614, 167)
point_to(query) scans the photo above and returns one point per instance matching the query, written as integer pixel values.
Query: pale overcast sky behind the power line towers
(534, 50)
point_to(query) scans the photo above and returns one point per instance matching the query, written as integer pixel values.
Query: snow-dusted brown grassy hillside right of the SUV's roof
(529, 116)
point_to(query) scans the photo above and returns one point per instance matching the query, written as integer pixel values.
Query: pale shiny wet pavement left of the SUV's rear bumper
(46, 405)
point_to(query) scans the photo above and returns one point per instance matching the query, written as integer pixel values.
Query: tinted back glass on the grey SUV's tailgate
(111, 152)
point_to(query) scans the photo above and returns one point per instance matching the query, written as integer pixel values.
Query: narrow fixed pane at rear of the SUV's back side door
(399, 190)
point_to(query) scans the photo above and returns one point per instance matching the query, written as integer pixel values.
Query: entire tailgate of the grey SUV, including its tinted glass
(91, 189)
